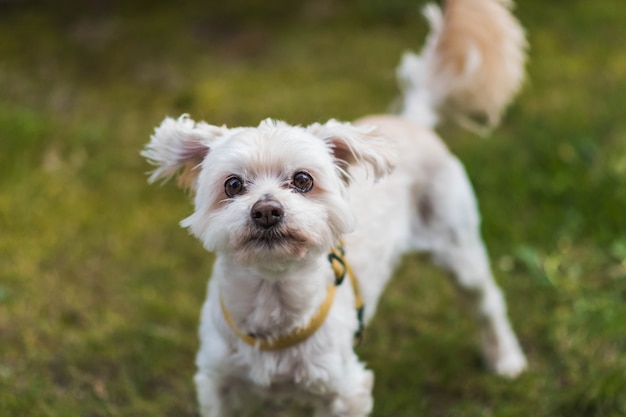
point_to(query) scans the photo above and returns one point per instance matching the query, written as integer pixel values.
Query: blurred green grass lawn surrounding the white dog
(100, 290)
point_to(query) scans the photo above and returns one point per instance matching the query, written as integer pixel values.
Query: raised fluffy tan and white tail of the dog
(470, 67)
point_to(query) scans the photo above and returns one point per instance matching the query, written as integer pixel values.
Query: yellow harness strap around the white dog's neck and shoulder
(341, 268)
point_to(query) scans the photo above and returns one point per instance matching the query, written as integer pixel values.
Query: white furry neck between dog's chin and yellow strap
(269, 302)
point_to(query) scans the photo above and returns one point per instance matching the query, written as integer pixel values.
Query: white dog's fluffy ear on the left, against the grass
(178, 146)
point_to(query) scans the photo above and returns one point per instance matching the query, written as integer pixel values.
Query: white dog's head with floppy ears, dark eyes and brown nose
(271, 193)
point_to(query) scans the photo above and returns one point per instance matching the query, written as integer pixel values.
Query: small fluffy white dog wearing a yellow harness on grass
(274, 201)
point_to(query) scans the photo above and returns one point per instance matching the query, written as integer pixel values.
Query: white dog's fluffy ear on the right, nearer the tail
(354, 145)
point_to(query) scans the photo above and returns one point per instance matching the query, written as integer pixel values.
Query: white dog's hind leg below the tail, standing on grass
(449, 222)
